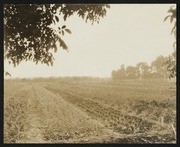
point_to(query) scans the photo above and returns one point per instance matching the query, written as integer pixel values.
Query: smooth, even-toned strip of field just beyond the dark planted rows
(116, 95)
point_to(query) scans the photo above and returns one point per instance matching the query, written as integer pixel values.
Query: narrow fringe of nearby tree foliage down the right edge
(171, 61)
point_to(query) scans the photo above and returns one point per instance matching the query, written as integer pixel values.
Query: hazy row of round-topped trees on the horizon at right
(157, 70)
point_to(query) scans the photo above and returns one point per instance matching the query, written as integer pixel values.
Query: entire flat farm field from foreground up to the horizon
(89, 111)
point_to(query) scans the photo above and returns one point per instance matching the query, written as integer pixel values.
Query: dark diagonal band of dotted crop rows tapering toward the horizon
(112, 118)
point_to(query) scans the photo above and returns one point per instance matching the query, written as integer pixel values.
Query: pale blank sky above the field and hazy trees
(129, 34)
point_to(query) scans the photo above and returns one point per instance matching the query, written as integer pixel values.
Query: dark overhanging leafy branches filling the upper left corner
(27, 31)
